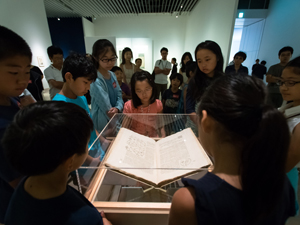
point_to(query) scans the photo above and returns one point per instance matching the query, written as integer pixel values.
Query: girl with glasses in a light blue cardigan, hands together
(105, 91)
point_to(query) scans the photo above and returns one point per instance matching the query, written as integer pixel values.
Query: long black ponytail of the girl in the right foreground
(263, 164)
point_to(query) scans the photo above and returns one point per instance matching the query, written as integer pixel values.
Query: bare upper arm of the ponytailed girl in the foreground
(183, 208)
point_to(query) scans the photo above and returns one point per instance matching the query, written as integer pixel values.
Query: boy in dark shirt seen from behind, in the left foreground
(44, 144)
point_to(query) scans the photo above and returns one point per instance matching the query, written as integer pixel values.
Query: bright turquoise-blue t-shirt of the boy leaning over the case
(81, 101)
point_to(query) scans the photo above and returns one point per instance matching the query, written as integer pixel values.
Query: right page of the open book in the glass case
(180, 151)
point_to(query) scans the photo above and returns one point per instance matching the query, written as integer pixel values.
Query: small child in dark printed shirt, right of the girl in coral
(171, 96)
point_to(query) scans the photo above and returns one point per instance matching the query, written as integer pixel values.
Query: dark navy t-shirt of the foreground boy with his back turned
(70, 208)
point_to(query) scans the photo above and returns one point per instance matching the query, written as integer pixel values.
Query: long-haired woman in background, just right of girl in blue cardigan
(127, 66)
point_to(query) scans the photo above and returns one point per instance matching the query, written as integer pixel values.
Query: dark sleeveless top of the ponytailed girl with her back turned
(217, 202)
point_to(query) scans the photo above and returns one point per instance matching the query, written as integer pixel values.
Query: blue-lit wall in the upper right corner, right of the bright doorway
(281, 29)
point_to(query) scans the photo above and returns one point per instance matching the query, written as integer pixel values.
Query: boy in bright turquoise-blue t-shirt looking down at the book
(78, 73)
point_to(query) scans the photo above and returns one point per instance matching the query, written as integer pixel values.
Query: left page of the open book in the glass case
(131, 150)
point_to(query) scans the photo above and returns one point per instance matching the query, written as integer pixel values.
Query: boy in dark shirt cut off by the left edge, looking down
(15, 60)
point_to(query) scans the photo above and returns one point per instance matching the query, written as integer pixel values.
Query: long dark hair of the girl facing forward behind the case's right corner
(201, 81)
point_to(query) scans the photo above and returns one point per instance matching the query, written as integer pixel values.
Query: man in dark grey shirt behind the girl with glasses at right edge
(273, 75)
